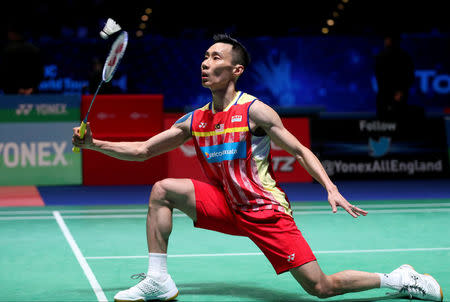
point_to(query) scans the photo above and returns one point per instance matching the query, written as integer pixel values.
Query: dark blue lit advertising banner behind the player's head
(330, 73)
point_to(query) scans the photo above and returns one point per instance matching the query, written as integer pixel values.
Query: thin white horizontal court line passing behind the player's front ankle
(259, 253)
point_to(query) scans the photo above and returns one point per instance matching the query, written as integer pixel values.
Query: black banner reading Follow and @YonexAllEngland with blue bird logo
(369, 148)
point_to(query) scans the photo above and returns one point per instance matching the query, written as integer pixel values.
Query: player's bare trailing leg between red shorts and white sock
(316, 283)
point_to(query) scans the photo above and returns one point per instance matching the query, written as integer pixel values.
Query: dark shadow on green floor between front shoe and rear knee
(229, 290)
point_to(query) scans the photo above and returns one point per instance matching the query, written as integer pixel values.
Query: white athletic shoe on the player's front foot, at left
(148, 289)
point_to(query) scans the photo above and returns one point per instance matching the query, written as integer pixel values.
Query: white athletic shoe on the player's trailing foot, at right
(418, 286)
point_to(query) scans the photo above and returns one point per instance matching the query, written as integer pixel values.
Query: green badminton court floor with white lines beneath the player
(88, 253)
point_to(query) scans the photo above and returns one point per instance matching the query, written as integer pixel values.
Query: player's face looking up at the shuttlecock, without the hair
(217, 68)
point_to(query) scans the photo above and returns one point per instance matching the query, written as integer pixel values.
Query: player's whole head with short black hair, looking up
(224, 61)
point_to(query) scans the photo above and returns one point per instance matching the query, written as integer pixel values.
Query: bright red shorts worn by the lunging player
(275, 233)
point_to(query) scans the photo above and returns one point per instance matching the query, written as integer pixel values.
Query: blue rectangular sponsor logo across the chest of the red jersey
(226, 151)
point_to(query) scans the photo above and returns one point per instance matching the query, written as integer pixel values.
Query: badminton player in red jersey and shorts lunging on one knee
(232, 136)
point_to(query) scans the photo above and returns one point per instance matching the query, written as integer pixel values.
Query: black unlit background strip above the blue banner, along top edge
(241, 18)
